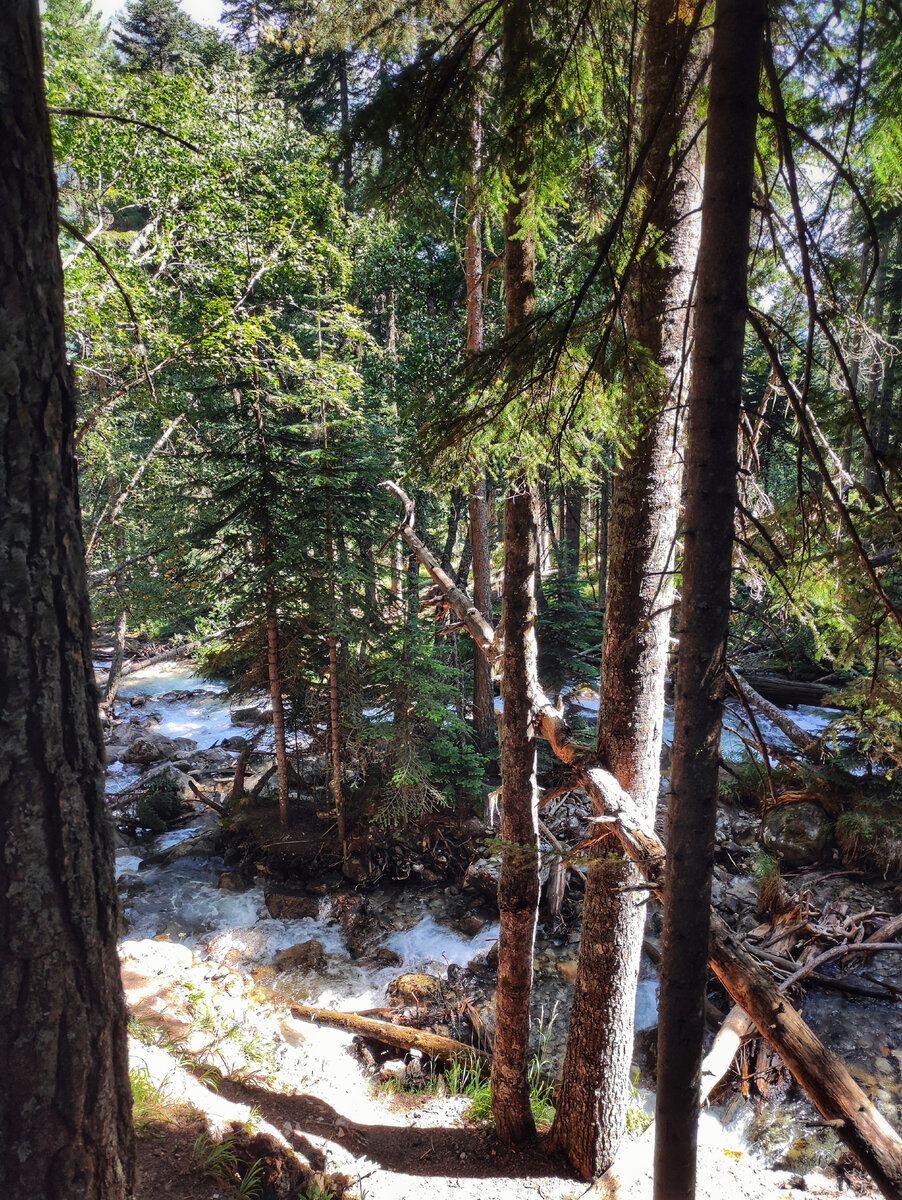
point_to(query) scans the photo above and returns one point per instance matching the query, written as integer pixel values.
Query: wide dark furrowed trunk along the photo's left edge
(65, 1101)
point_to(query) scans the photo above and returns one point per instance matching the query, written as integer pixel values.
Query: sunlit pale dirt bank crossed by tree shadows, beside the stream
(302, 1089)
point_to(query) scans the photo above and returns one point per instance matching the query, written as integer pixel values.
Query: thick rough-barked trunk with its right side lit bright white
(594, 1097)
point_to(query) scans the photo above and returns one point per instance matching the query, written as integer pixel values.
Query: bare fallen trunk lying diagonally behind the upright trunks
(822, 1075)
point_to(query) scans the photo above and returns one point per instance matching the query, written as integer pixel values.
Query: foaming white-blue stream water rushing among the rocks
(185, 903)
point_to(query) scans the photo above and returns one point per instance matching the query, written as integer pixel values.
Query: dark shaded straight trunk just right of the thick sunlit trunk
(714, 412)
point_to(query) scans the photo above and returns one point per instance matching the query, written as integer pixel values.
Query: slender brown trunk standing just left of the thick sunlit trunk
(519, 886)
